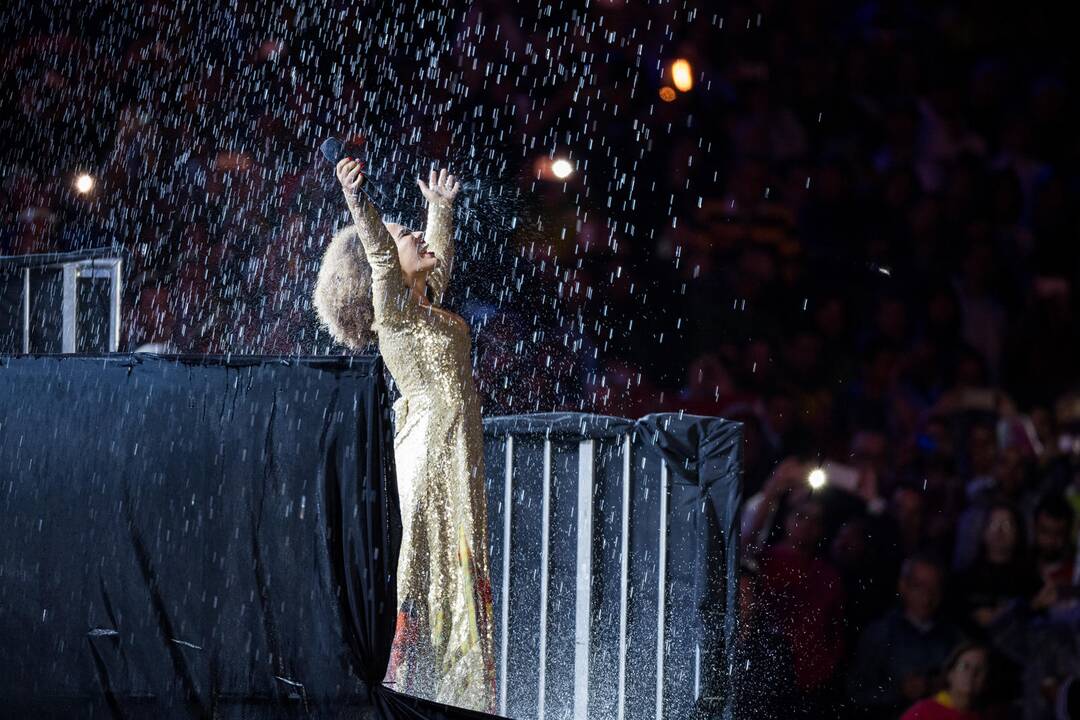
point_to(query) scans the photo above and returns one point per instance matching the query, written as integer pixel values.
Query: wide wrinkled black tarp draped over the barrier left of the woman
(198, 538)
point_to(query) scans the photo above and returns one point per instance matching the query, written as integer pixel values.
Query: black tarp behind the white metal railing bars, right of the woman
(704, 461)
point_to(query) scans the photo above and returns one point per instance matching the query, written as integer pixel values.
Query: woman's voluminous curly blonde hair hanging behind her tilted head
(344, 291)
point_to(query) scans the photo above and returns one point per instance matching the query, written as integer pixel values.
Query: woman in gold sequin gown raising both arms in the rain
(443, 647)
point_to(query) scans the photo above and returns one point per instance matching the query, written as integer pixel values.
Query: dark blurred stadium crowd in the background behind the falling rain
(855, 236)
